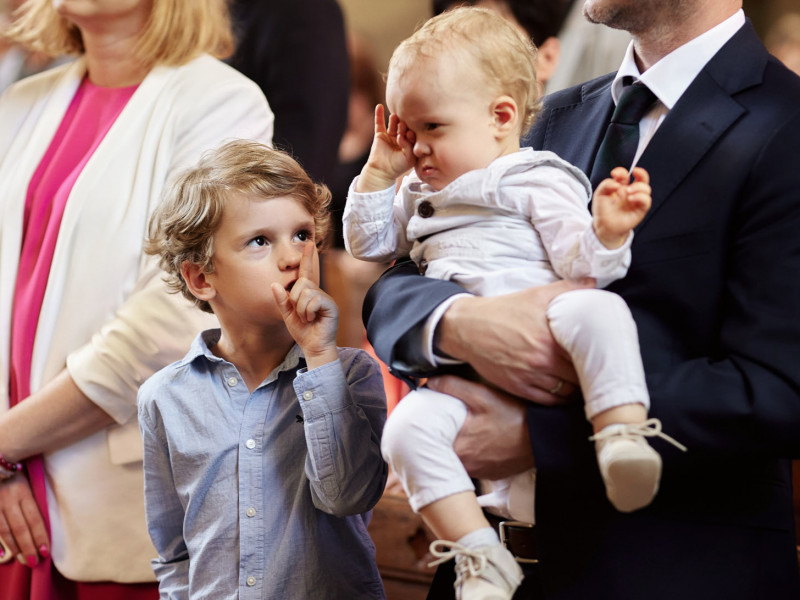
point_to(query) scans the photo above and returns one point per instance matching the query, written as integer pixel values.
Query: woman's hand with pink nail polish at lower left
(21, 524)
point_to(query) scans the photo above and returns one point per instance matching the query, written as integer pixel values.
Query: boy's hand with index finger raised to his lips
(311, 316)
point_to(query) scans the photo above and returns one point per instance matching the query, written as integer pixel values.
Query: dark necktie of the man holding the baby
(619, 145)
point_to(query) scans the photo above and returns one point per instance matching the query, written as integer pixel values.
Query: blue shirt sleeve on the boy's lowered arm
(163, 509)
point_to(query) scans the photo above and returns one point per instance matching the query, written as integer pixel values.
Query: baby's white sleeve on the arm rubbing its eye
(375, 225)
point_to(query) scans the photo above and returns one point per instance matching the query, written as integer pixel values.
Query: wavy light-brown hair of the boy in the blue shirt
(182, 227)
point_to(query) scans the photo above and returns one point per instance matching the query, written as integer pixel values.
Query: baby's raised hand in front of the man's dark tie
(618, 205)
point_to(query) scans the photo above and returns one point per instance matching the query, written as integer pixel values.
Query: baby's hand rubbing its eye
(391, 154)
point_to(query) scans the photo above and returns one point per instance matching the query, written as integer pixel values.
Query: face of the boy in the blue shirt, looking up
(258, 242)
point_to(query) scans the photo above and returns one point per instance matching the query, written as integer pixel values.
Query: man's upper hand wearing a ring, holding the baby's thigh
(507, 340)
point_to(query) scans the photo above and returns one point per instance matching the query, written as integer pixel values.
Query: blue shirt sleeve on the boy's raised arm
(344, 409)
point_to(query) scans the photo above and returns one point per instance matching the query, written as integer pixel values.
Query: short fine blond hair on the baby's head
(505, 56)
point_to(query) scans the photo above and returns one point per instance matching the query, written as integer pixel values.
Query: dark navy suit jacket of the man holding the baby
(714, 287)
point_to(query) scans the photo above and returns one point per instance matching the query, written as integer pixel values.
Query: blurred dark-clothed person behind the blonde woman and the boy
(296, 51)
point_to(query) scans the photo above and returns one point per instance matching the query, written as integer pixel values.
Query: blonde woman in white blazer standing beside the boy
(75, 512)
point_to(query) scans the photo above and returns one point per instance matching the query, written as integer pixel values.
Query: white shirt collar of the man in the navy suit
(669, 78)
